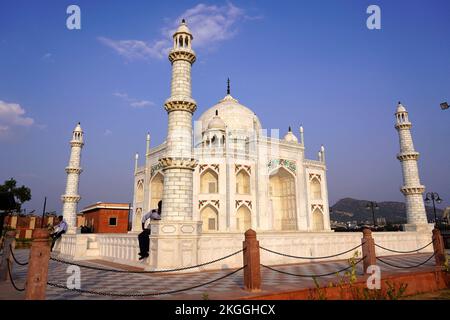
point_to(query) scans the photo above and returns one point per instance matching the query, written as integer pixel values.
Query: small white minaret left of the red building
(71, 198)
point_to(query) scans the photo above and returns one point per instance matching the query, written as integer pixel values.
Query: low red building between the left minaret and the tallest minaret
(101, 217)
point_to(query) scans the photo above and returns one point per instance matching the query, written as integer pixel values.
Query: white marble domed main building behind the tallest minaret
(245, 177)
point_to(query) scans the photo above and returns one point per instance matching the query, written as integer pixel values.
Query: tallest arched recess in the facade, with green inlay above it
(283, 196)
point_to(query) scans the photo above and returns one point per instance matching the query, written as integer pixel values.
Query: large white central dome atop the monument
(235, 116)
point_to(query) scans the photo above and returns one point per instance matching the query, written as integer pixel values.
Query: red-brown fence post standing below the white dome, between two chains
(252, 271)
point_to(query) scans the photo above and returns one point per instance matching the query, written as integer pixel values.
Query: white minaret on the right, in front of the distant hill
(412, 188)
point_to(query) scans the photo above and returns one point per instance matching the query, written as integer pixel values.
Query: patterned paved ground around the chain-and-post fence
(229, 287)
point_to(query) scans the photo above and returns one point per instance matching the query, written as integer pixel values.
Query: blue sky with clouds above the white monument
(293, 62)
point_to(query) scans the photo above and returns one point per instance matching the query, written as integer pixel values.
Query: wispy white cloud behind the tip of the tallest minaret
(209, 25)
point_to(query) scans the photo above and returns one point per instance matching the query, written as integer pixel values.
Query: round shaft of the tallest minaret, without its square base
(178, 162)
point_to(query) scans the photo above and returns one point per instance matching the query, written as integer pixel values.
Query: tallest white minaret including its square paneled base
(174, 238)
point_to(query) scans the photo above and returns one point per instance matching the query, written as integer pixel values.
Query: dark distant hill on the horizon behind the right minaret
(349, 209)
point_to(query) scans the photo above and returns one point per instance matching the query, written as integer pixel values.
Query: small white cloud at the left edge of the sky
(12, 115)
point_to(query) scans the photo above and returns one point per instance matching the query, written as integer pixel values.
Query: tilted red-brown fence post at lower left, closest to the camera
(38, 266)
